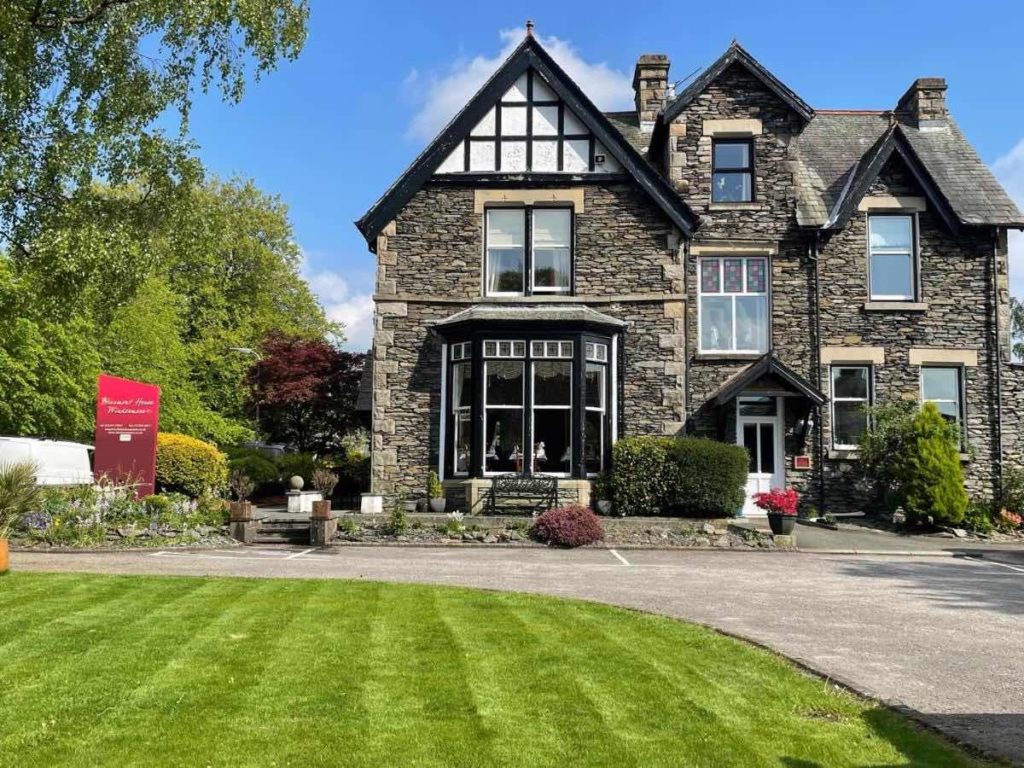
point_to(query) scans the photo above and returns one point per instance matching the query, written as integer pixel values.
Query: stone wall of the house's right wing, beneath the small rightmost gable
(956, 286)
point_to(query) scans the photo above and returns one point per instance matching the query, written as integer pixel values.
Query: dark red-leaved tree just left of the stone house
(307, 393)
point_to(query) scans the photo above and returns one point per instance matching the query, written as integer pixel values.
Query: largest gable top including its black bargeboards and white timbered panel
(507, 84)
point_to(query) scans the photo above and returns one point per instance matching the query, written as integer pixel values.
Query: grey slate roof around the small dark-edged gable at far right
(836, 147)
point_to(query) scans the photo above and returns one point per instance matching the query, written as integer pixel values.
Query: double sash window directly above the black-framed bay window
(529, 251)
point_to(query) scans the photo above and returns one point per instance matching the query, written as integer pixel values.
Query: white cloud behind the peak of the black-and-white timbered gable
(440, 97)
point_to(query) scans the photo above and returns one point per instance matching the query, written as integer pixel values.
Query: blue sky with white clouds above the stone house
(331, 132)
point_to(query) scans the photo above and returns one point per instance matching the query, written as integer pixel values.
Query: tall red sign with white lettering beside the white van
(127, 416)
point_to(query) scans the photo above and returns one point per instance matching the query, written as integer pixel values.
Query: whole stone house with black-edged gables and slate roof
(727, 262)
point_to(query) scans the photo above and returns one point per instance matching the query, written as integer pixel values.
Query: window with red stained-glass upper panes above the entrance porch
(734, 305)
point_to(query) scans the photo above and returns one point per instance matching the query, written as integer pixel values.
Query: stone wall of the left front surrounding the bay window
(431, 267)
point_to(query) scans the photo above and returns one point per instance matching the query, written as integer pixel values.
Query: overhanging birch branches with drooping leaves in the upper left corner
(83, 83)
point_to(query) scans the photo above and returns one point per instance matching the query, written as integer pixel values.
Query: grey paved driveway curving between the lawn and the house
(943, 636)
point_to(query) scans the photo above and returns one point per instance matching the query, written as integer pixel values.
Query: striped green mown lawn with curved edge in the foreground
(232, 672)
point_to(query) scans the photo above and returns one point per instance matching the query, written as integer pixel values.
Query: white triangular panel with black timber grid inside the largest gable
(530, 130)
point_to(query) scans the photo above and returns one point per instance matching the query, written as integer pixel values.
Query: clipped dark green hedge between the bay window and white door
(690, 477)
